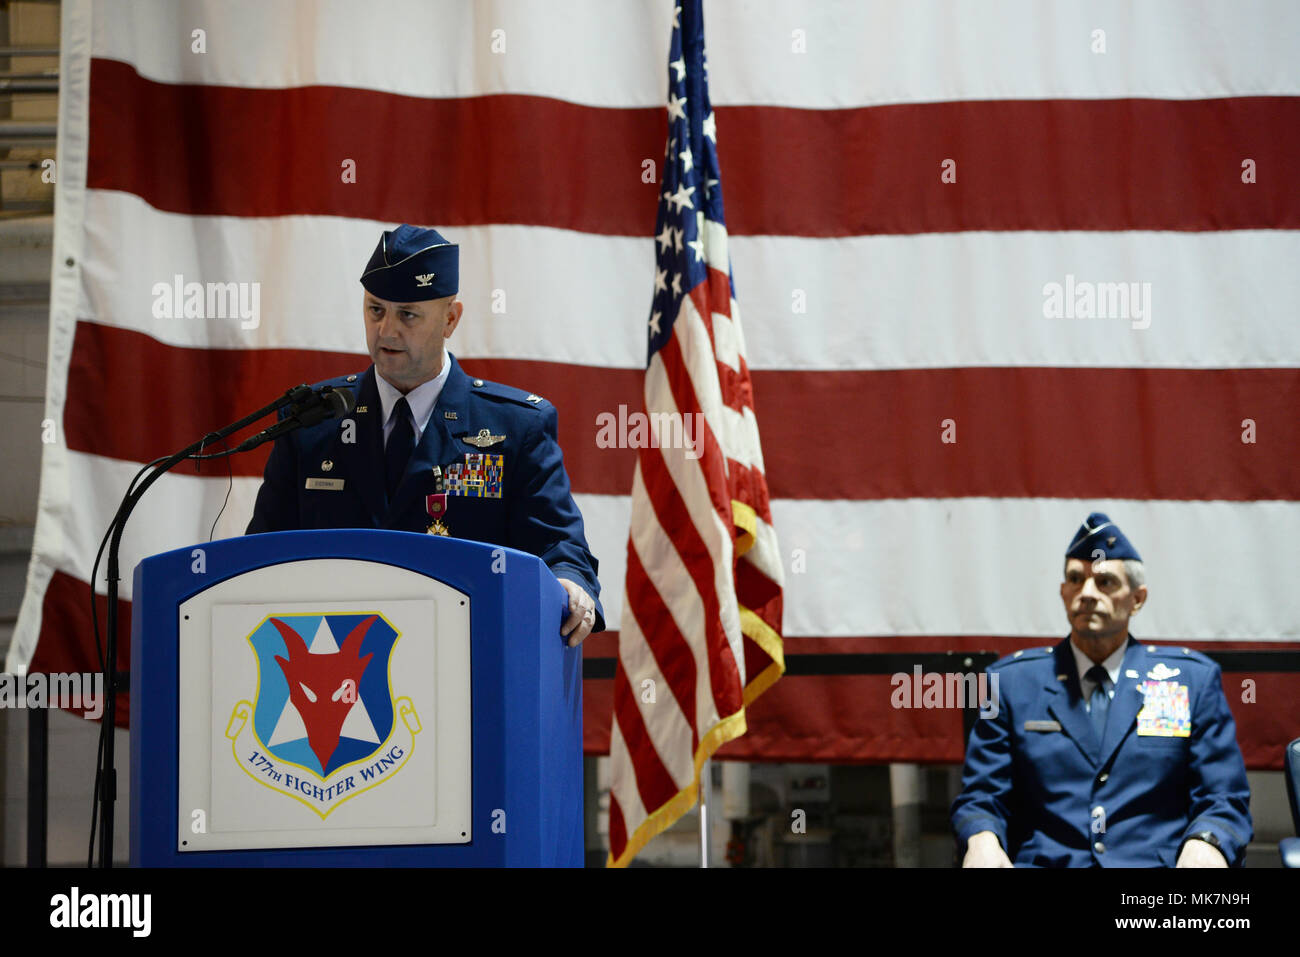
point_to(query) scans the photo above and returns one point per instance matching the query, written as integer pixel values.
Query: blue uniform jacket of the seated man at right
(1037, 774)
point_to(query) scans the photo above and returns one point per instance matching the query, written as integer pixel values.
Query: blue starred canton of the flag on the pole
(691, 183)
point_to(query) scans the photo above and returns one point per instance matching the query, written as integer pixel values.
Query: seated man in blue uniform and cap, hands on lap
(1104, 752)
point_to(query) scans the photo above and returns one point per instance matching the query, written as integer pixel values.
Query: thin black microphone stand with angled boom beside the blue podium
(109, 785)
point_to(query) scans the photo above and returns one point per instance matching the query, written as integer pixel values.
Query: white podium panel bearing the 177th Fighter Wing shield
(324, 743)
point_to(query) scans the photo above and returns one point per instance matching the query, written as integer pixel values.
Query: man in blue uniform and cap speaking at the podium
(430, 448)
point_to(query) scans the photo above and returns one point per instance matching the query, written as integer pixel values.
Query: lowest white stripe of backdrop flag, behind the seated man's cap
(1000, 558)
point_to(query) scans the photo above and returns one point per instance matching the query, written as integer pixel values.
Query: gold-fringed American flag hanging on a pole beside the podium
(701, 634)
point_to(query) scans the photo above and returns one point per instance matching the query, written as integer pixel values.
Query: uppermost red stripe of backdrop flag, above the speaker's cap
(1021, 164)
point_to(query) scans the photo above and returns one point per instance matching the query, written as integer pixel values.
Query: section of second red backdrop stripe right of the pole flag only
(1033, 432)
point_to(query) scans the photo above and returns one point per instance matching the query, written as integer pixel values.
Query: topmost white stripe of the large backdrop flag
(857, 54)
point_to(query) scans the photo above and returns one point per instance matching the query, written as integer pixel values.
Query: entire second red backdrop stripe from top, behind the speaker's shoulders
(885, 426)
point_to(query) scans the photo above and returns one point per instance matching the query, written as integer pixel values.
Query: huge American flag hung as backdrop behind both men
(905, 183)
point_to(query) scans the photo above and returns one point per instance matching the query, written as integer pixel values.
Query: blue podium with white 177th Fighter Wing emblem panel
(353, 699)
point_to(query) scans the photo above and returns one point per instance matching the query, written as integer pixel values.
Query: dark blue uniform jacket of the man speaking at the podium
(535, 510)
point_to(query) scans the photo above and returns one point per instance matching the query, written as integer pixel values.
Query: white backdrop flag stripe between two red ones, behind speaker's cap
(935, 301)
